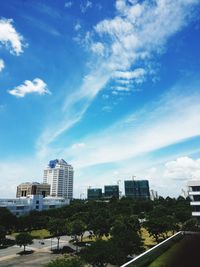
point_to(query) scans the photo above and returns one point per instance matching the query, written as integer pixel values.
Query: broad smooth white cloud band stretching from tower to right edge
(164, 124)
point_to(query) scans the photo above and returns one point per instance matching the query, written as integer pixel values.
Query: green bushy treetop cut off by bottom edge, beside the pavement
(66, 262)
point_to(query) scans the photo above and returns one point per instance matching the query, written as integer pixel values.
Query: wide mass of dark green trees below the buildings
(119, 222)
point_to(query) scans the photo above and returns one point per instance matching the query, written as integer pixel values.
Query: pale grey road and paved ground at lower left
(42, 253)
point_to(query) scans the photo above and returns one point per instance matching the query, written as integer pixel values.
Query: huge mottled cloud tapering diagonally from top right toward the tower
(134, 35)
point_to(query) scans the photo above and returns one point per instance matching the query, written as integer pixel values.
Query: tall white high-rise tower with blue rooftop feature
(59, 174)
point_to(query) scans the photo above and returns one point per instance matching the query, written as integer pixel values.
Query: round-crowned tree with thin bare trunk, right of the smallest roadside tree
(56, 227)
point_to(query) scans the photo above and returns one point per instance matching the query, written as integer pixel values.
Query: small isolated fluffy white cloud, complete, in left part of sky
(36, 86)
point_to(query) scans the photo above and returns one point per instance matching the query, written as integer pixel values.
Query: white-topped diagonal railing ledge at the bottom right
(144, 259)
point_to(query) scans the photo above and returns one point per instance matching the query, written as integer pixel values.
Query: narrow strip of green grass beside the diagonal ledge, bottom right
(164, 258)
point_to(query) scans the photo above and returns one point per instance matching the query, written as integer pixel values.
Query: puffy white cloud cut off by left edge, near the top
(10, 37)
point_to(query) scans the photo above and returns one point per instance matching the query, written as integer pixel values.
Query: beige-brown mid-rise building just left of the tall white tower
(34, 188)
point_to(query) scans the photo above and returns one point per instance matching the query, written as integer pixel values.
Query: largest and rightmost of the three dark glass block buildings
(137, 188)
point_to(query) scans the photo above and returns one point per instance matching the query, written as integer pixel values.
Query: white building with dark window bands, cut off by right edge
(194, 194)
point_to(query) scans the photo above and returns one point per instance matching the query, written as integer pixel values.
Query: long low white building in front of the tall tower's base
(23, 205)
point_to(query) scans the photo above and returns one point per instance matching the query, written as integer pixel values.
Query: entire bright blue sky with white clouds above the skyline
(112, 87)
